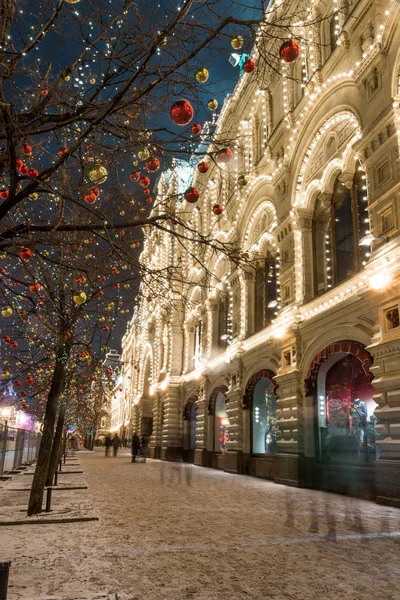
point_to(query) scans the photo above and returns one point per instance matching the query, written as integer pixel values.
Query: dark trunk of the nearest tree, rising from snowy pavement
(42, 466)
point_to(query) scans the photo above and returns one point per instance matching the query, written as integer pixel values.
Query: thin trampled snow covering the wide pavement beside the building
(175, 532)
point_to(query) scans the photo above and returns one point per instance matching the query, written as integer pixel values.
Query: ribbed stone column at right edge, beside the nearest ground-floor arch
(386, 371)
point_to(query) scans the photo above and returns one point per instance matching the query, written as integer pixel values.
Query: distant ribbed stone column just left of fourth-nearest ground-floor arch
(172, 428)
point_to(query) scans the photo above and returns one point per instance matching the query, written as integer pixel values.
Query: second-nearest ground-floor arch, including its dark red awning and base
(260, 402)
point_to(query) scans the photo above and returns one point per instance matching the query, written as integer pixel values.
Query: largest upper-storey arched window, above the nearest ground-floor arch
(338, 227)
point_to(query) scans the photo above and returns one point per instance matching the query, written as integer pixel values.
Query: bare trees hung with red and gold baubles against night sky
(86, 89)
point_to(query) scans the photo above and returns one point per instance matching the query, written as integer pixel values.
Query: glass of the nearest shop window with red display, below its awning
(346, 411)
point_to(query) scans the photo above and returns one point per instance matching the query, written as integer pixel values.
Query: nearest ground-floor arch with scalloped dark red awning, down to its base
(339, 381)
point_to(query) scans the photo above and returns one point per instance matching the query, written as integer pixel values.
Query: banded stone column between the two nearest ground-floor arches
(289, 392)
